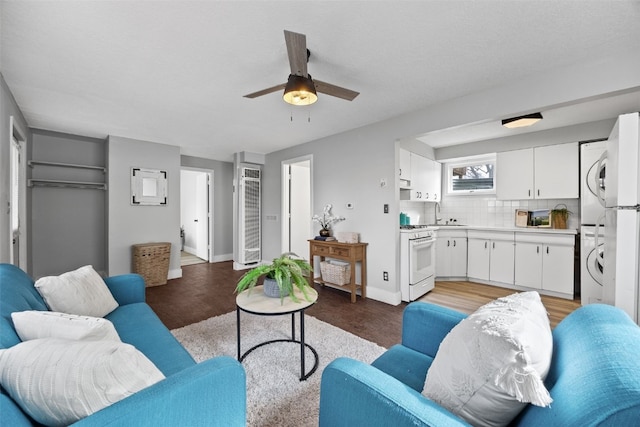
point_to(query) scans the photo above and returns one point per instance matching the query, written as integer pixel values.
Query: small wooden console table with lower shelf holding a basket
(350, 252)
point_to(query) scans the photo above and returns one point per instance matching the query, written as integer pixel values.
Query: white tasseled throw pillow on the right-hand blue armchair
(494, 362)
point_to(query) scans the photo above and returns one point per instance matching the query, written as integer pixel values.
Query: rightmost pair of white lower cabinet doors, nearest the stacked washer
(545, 262)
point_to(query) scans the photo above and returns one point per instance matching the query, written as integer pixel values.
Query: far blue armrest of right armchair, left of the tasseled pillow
(425, 325)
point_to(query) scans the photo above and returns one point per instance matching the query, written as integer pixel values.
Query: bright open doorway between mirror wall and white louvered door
(196, 207)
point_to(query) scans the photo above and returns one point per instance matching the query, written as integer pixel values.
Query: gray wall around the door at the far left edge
(8, 108)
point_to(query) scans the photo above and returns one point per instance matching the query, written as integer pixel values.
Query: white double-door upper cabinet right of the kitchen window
(550, 172)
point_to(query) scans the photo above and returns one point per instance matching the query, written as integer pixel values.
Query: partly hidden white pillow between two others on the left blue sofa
(33, 324)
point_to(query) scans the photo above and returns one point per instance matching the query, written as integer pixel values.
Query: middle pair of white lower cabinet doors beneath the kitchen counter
(490, 256)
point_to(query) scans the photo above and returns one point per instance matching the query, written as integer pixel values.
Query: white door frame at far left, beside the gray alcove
(17, 134)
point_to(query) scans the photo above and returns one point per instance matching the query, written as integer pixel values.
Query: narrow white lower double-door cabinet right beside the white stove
(451, 254)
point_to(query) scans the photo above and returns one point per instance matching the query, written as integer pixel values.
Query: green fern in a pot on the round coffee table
(280, 277)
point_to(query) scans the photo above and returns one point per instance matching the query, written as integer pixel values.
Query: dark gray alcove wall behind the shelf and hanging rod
(68, 225)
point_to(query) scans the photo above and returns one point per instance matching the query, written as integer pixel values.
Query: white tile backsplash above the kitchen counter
(483, 211)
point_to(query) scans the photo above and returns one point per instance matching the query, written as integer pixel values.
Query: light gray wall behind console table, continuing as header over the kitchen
(348, 166)
